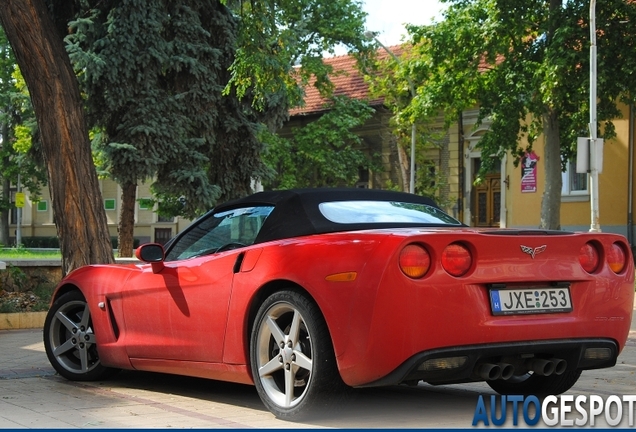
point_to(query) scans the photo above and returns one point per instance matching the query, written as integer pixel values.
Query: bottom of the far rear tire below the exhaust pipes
(534, 384)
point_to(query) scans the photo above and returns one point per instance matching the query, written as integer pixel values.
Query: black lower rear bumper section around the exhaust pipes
(466, 363)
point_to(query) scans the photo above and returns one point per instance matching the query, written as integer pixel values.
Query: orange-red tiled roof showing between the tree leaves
(347, 81)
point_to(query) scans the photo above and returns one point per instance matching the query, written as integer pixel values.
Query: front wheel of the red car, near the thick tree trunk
(69, 340)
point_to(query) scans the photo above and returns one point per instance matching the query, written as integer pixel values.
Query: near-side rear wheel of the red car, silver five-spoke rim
(300, 379)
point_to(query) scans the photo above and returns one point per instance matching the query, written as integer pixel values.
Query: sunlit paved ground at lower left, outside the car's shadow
(33, 396)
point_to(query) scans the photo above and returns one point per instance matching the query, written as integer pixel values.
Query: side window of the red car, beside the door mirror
(220, 231)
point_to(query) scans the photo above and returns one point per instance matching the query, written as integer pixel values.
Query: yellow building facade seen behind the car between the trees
(508, 198)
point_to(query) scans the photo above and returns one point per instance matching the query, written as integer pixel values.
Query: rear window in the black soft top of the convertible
(356, 212)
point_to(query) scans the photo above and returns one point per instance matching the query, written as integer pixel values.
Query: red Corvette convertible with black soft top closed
(307, 293)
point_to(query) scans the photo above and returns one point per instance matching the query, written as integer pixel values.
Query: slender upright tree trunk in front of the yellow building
(551, 201)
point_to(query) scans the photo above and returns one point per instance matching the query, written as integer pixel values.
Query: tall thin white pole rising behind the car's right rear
(594, 227)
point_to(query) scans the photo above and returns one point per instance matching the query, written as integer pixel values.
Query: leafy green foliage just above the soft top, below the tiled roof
(323, 153)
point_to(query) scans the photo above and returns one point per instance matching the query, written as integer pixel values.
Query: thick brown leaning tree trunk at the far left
(76, 199)
